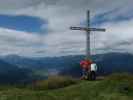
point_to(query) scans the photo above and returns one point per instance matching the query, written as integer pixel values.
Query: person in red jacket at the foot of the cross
(86, 66)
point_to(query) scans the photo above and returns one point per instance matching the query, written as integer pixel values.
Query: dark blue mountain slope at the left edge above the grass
(11, 74)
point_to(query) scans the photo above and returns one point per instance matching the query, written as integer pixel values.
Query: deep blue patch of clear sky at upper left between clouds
(24, 23)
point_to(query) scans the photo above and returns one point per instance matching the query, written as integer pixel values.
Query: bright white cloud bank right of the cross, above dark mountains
(118, 36)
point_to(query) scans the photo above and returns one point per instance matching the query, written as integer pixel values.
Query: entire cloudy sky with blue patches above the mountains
(41, 27)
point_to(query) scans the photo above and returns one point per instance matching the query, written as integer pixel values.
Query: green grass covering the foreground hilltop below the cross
(113, 87)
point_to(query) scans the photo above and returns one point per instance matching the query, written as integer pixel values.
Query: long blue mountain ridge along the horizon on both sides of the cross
(69, 65)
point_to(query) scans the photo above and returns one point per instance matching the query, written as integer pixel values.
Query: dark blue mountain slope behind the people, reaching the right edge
(107, 64)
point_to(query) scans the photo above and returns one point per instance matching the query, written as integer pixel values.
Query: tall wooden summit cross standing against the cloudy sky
(88, 30)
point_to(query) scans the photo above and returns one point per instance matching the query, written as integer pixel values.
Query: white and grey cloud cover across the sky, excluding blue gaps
(61, 14)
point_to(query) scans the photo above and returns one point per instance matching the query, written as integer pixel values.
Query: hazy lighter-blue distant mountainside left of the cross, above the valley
(42, 62)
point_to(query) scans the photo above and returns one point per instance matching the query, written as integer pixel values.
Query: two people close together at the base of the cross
(89, 69)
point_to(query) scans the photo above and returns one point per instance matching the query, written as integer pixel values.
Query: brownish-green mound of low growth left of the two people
(54, 82)
